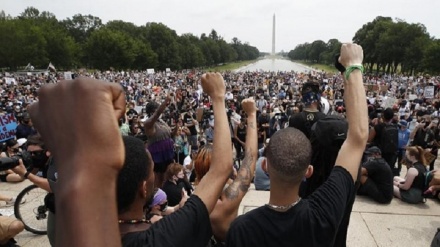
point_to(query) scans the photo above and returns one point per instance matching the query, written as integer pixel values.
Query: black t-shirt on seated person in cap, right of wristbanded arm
(380, 172)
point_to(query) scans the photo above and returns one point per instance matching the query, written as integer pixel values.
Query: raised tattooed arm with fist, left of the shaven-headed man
(227, 209)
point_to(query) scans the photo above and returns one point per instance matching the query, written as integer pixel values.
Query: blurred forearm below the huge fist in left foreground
(91, 202)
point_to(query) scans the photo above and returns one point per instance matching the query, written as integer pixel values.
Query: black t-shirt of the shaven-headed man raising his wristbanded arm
(312, 222)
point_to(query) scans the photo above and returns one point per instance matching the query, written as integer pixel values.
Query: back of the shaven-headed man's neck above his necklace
(282, 194)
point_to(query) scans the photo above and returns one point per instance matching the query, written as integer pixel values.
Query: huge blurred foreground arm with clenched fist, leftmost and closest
(84, 174)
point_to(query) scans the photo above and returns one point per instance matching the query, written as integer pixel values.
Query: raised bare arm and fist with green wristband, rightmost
(352, 150)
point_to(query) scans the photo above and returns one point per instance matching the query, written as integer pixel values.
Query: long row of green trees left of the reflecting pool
(84, 41)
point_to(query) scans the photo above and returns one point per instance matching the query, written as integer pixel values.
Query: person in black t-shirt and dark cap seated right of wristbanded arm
(376, 177)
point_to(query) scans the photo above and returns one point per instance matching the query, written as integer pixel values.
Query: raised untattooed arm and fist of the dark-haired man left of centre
(210, 187)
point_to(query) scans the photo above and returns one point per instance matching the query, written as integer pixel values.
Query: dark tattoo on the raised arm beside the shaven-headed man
(244, 177)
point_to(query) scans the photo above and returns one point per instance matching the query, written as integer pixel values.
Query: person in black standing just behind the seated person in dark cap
(385, 135)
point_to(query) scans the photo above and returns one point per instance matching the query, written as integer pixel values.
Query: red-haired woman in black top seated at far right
(410, 188)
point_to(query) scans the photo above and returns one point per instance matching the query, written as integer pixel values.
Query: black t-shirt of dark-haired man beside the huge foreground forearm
(188, 226)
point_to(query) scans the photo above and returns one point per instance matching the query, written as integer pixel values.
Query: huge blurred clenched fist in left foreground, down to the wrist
(78, 121)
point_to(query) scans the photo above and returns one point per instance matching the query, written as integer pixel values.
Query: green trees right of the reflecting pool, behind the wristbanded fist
(389, 46)
